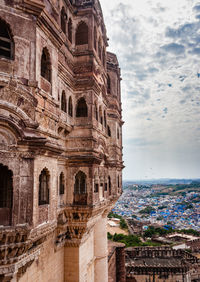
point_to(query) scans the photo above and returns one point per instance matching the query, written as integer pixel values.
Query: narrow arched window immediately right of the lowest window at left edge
(44, 187)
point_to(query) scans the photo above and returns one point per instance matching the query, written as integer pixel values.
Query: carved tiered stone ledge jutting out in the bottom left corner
(19, 247)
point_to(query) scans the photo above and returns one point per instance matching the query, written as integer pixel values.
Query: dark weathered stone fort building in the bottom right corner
(159, 264)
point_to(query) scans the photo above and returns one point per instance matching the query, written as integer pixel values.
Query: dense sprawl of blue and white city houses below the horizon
(177, 206)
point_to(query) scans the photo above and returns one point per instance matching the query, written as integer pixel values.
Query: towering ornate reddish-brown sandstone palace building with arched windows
(60, 140)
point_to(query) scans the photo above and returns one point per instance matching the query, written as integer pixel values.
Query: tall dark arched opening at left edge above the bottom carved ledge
(6, 195)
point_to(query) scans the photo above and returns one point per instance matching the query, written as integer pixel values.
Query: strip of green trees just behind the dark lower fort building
(130, 240)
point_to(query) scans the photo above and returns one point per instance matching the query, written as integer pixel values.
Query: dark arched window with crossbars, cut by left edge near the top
(6, 41)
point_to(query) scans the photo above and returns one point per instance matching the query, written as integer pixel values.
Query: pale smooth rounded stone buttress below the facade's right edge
(100, 251)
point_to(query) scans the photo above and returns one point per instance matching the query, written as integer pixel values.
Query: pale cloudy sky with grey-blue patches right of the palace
(158, 47)
